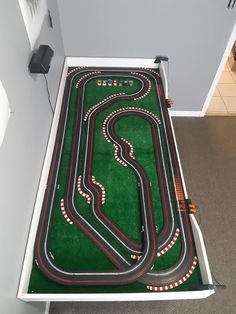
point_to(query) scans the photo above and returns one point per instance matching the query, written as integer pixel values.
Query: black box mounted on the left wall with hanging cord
(41, 60)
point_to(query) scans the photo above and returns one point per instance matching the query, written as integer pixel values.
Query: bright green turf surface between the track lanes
(71, 249)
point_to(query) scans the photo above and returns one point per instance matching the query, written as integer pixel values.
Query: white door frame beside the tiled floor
(229, 46)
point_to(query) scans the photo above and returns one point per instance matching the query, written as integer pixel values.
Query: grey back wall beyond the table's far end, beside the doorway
(192, 33)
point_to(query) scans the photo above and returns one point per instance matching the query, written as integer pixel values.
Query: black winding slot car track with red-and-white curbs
(134, 262)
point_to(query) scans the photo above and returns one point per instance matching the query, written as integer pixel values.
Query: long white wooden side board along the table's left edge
(28, 258)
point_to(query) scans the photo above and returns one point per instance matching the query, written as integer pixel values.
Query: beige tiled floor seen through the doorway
(224, 99)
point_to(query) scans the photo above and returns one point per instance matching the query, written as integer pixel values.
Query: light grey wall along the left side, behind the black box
(23, 148)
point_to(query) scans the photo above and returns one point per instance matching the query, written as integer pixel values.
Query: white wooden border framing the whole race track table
(26, 270)
